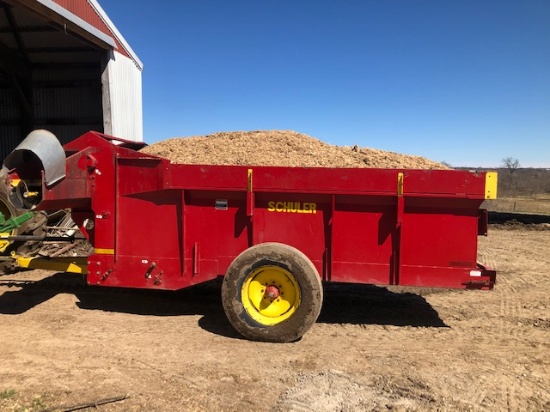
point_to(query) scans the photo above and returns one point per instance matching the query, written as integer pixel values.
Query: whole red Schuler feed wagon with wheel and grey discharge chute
(273, 233)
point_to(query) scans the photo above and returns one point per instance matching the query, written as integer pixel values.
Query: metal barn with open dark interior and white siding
(66, 68)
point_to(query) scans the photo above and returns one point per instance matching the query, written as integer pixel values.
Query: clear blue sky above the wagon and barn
(461, 81)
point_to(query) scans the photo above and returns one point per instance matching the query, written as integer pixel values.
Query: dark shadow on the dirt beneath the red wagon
(343, 303)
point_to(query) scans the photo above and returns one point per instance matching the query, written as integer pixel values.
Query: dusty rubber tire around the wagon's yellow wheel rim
(305, 275)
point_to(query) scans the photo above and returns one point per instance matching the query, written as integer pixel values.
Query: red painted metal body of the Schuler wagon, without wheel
(169, 226)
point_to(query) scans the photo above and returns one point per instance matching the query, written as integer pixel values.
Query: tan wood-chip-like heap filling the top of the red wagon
(279, 148)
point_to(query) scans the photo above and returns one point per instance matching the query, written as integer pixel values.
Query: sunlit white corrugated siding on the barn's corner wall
(126, 98)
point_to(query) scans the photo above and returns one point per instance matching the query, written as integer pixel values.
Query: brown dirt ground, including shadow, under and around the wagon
(372, 349)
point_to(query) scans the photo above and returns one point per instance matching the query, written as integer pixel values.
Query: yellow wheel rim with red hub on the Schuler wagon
(270, 295)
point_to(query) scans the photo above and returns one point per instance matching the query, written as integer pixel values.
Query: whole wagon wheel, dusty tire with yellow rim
(272, 292)
